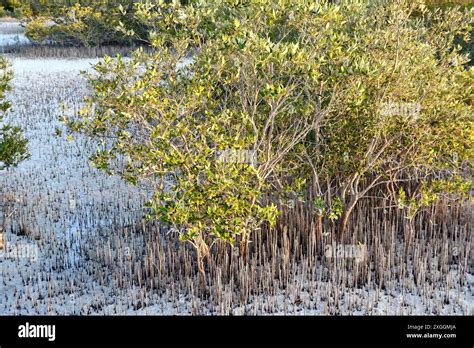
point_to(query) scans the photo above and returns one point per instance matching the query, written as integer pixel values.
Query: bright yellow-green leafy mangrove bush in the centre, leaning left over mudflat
(250, 87)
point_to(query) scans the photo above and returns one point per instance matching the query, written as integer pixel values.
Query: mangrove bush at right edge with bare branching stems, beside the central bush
(402, 57)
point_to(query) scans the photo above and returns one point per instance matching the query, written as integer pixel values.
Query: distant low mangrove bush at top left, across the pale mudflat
(88, 23)
